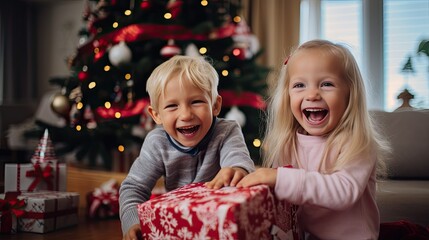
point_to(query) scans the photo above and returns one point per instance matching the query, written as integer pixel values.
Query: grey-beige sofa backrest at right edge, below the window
(408, 133)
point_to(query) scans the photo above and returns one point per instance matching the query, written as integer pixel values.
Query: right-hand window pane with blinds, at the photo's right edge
(406, 24)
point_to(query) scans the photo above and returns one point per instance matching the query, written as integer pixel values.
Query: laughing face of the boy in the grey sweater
(185, 111)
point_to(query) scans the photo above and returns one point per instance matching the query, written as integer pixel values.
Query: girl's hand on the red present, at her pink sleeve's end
(265, 176)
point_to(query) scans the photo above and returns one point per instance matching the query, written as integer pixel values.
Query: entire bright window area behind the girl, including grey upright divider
(389, 42)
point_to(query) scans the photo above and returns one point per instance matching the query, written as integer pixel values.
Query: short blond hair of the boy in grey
(196, 70)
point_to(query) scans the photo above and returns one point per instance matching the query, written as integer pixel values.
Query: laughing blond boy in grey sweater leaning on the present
(190, 144)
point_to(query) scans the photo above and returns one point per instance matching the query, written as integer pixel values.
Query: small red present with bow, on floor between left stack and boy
(103, 202)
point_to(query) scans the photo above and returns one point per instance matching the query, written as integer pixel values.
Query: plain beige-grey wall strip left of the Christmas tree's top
(58, 23)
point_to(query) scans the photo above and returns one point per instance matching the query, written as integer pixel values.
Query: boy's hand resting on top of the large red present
(226, 177)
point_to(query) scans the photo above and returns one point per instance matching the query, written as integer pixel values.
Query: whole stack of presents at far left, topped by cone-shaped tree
(35, 198)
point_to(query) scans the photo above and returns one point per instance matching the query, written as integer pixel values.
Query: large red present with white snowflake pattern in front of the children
(196, 212)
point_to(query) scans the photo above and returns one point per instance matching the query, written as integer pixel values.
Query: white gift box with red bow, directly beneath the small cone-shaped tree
(49, 175)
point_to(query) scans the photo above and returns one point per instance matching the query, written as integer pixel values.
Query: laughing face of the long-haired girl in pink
(318, 92)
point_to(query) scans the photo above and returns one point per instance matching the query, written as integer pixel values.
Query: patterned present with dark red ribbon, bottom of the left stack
(48, 211)
